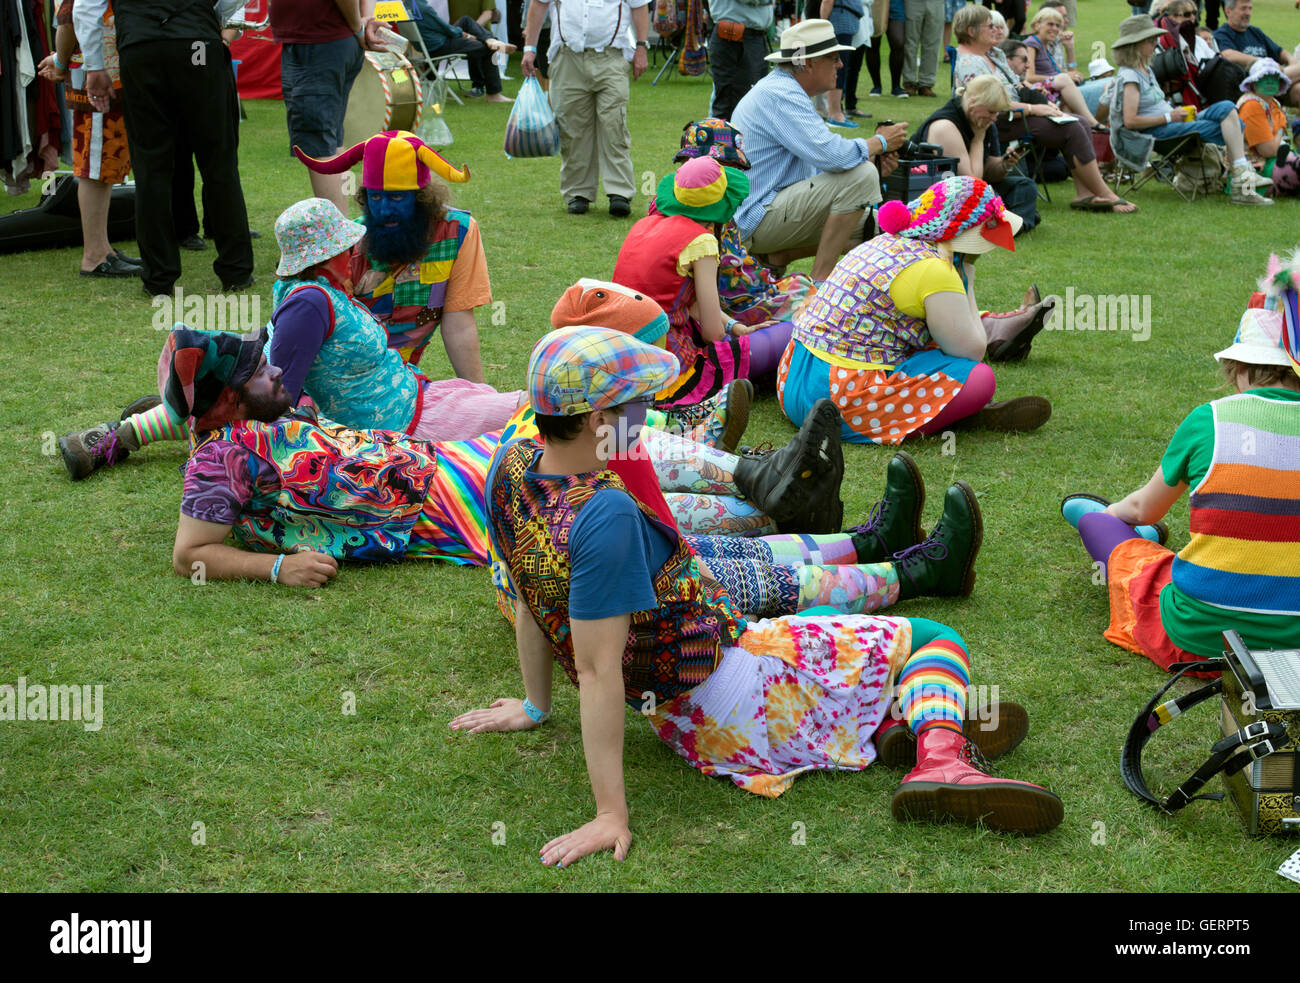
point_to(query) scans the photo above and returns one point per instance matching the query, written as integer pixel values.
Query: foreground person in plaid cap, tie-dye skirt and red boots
(621, 603)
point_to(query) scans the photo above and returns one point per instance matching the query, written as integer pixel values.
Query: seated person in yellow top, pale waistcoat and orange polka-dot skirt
(895, 337)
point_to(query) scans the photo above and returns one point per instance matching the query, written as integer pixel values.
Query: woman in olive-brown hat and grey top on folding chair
(1141, 115)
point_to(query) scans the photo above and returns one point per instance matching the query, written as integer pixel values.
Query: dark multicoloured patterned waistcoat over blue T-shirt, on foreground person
(670, 649)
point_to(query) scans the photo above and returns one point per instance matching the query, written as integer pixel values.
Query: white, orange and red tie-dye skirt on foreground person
(795, 695)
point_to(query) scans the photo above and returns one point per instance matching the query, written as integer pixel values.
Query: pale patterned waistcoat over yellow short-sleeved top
(853, 318)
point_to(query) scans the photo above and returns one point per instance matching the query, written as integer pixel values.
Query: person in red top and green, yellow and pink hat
(671, 256)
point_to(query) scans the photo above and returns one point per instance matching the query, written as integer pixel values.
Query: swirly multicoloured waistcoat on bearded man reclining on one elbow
(354, 495)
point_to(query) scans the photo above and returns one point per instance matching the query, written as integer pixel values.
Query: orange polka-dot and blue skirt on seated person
(878, 406)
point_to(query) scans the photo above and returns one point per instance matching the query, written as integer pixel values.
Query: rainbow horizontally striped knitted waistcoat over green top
(1245, 553)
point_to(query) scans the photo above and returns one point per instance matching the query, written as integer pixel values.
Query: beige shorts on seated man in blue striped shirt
(795, 219)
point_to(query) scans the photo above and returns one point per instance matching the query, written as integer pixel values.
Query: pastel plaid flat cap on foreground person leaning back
(580, 370)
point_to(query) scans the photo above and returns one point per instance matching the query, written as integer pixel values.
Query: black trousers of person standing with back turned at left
(183, 90)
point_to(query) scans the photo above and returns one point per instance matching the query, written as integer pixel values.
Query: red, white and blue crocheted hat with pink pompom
(951, 209)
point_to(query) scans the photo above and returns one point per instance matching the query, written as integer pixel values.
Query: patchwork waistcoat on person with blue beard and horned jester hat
(410, 301)
